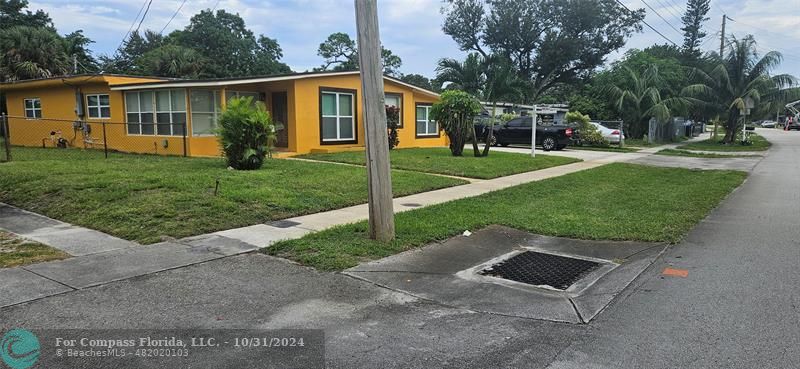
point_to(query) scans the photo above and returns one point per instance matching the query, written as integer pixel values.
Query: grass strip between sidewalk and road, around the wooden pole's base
(615, 201)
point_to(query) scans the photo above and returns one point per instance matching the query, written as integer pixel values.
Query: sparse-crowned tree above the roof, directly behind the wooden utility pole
(341, 53)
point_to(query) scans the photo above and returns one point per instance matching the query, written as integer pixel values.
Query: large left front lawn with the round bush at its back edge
(142, 197)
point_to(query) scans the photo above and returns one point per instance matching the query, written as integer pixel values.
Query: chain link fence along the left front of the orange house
(96, 136)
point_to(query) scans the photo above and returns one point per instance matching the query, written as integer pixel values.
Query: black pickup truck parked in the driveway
(518, 131)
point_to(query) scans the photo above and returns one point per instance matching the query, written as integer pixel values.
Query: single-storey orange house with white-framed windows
(314, 112)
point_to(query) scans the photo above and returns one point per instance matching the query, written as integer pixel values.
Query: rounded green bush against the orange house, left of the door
(246, 133)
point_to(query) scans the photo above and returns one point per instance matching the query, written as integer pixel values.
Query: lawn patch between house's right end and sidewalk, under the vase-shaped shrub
(439, 160)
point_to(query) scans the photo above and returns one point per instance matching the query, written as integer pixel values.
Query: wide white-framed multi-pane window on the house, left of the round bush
(159, 112)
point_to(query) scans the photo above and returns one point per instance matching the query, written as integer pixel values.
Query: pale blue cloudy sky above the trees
(410, 28)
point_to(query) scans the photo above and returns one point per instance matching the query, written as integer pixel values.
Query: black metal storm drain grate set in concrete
(539, 269)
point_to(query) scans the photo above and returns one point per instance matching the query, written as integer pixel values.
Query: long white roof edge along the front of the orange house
(219, 82)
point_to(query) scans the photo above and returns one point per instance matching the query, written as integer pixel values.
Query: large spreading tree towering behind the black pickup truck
(548, 41)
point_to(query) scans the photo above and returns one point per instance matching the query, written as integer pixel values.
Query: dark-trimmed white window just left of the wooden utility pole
(337, 118)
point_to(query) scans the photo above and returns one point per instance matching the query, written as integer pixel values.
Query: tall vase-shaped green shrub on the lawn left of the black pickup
(455, 112)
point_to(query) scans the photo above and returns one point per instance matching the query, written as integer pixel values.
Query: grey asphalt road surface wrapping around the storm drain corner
(737, 308)
